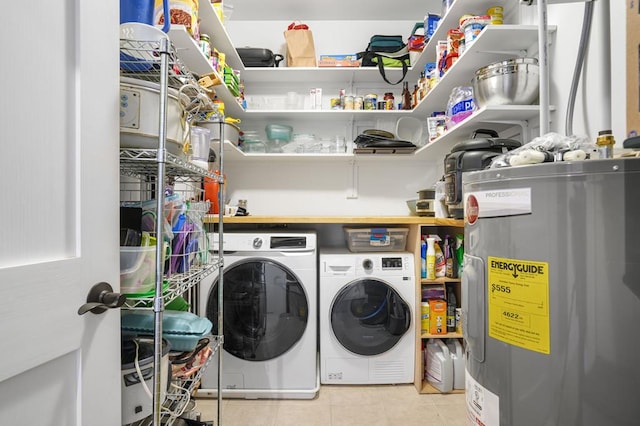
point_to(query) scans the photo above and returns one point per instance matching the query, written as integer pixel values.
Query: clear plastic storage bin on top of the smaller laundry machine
(376, 239)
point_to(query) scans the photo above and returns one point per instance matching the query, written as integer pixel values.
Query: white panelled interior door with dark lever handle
(59, 171)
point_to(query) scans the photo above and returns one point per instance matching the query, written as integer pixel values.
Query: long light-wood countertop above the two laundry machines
(393, 220)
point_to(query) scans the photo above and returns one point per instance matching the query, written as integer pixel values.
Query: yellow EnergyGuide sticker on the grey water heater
(518, 299)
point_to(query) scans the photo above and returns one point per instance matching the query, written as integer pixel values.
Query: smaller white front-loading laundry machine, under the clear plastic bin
(367, 327)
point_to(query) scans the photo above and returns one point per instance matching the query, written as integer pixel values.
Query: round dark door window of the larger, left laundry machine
(265, 309)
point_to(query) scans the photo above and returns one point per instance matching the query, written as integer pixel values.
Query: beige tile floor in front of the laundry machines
(383, 405)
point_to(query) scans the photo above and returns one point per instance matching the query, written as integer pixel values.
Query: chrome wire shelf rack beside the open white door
(175, 226)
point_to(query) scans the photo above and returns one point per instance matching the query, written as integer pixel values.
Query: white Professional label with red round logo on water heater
(497, 202)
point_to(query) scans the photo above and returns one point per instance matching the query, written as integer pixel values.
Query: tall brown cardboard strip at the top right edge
(633, 68)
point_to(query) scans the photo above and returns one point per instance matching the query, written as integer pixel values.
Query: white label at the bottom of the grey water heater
(483, 406)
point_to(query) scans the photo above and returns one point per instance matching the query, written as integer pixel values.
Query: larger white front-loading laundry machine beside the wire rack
(270, 316)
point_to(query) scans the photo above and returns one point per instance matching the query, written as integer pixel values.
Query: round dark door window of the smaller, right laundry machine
(368, 317)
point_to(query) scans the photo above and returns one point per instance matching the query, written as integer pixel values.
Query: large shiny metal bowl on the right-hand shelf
(510, 82)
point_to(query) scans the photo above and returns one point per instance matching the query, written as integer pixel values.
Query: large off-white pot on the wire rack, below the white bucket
(139, 116)
